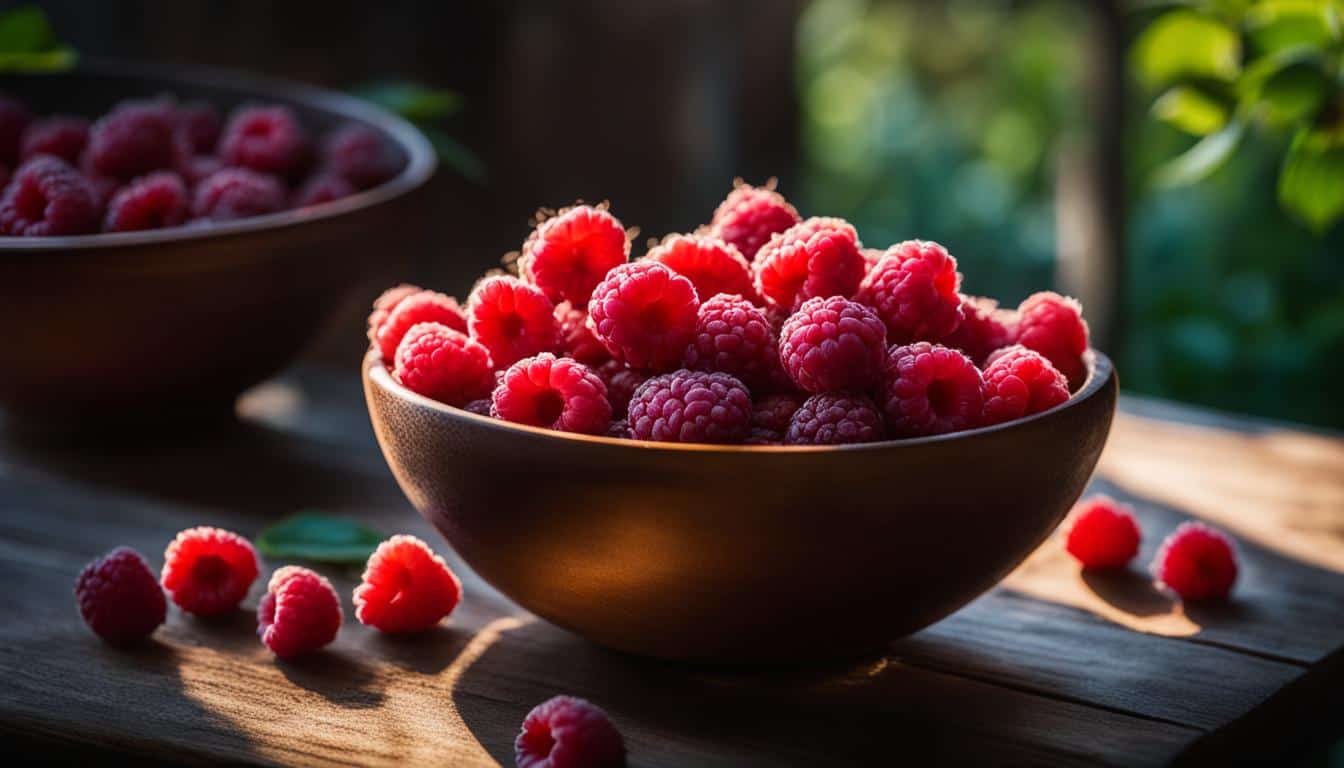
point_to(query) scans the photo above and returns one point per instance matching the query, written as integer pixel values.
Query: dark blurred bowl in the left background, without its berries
(107, 325)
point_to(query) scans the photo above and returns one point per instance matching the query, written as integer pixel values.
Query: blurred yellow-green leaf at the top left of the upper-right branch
(1183, 45)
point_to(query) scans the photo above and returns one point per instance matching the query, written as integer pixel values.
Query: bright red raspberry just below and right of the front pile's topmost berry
(818, 258)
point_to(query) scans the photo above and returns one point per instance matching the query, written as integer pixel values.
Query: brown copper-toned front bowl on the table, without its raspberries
(740, 555)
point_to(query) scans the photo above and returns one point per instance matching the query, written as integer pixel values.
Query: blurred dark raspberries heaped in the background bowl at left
(161, 163)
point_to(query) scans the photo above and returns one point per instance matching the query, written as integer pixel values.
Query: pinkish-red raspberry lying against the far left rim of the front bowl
(443, 364)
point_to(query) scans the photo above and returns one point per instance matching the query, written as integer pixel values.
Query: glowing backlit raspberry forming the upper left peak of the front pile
(568, 255)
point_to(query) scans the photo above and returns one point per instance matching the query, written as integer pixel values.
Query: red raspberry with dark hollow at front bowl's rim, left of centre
(557, 393)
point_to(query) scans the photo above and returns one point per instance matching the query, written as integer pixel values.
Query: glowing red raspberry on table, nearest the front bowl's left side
(407, 587)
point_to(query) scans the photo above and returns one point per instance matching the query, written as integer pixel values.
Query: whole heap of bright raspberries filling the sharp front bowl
(761, 329)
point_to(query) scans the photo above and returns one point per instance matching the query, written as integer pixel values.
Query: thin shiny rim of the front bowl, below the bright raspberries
(1100, 373)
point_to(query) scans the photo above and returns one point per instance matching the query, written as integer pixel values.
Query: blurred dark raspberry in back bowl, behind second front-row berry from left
(132, 141)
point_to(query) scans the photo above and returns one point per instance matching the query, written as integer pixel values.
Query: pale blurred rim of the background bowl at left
(421, 159)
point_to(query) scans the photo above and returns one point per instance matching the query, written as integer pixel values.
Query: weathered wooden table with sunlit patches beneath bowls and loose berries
(1053, 666)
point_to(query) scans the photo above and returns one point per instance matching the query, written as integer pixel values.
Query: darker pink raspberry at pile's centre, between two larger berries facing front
(734, 337)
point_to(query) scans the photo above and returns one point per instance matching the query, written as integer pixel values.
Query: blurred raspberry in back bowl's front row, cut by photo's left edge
(48, 198)
